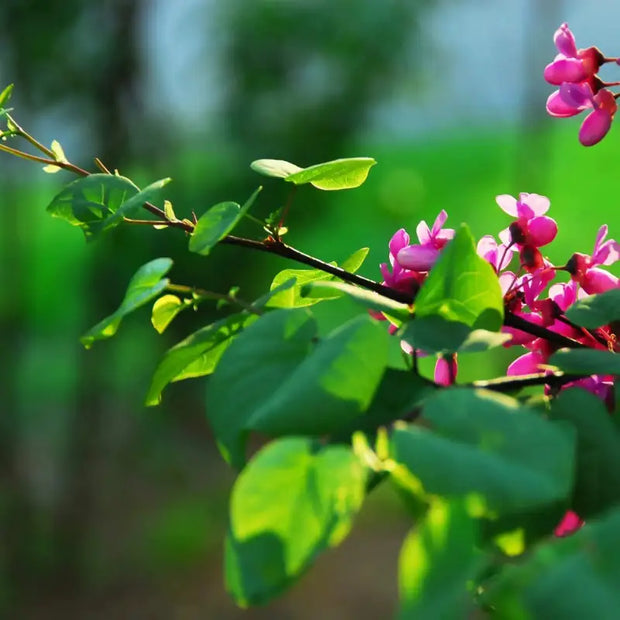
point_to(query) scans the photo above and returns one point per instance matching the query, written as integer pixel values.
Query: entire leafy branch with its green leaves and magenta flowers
(488, 471)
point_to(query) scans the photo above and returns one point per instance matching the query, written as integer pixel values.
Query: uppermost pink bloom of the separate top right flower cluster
(571, 65)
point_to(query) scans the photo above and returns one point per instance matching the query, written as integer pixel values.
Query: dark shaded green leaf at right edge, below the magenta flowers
(597, 484)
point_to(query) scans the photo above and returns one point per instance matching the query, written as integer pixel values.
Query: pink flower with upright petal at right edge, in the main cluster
(585, 270)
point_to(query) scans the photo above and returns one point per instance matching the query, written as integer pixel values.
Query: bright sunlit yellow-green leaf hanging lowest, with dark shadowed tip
(290, 503)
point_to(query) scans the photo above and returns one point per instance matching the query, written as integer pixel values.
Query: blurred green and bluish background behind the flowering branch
(109, 510)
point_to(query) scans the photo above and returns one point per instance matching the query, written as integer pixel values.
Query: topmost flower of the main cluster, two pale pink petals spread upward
(531, 228)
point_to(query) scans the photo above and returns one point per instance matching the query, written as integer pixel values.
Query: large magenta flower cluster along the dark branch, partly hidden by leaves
(531, 292)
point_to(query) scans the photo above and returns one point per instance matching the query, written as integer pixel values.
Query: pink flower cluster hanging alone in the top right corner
(575, 72)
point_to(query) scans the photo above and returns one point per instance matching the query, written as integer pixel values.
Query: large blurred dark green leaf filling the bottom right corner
(572, 578)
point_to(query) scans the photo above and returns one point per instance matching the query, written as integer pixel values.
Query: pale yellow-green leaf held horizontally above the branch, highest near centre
(331, 175)
